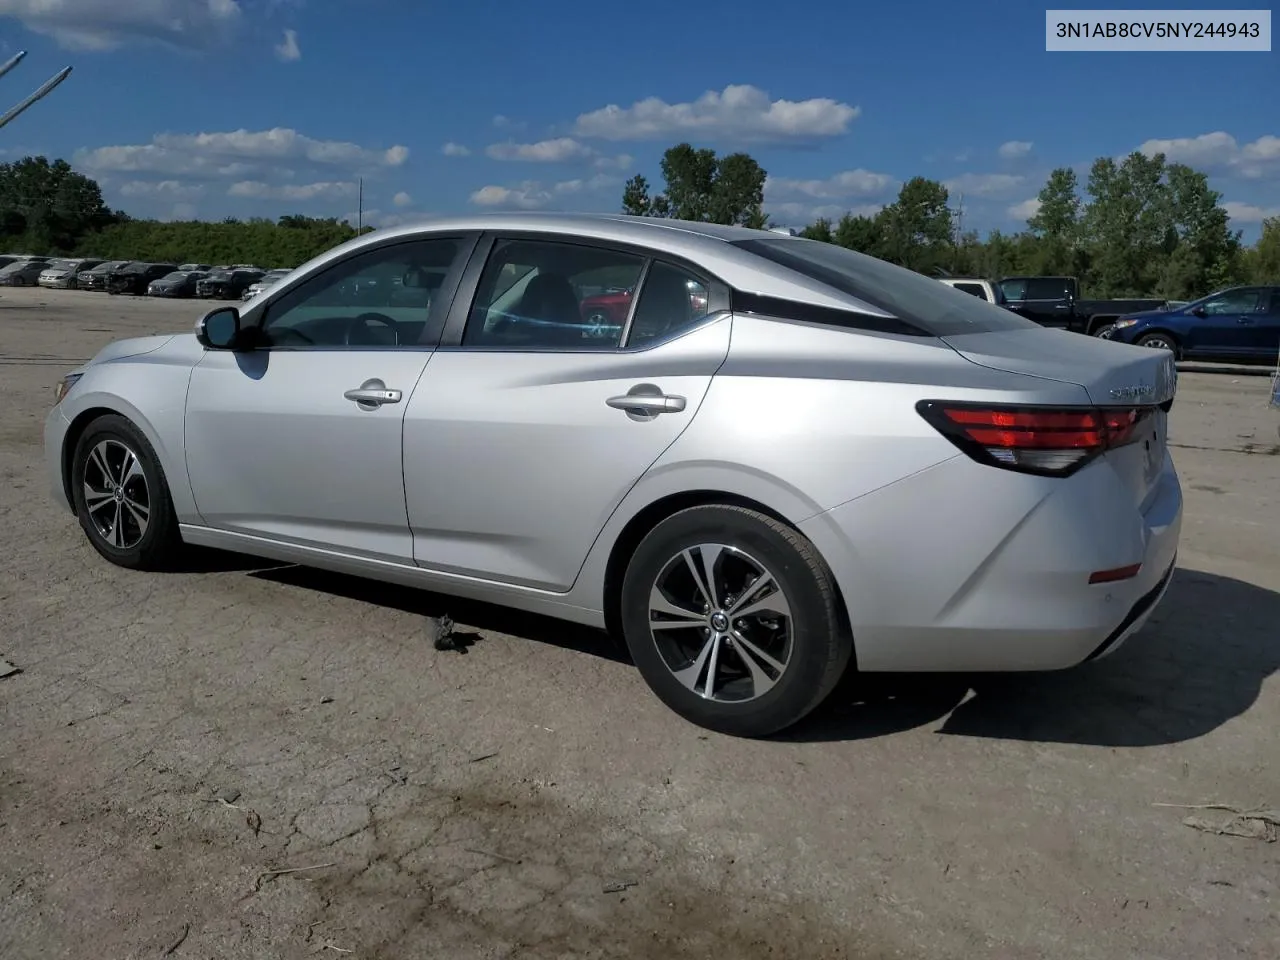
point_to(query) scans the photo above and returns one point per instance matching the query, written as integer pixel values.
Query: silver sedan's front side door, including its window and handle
(298, 437)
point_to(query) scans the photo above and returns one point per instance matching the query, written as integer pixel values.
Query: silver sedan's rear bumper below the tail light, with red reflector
(970, 569)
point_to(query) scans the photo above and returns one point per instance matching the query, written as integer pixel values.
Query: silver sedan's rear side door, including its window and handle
(536, 417)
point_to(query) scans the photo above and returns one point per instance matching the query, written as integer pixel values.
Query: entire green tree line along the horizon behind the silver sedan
(1142, 227)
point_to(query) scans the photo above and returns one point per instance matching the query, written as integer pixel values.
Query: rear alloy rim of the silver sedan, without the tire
(721, 623)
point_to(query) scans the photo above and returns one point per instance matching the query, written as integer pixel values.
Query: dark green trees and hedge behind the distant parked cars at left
(47, 209)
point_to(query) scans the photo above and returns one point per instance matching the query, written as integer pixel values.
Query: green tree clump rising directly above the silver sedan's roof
(701, 186)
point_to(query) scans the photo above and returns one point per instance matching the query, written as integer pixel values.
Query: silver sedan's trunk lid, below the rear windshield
(1112, 376)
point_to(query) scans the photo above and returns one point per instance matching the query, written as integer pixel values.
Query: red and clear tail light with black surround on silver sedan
(1045, 441)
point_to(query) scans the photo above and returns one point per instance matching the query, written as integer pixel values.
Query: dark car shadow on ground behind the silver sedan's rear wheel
(1200, 662)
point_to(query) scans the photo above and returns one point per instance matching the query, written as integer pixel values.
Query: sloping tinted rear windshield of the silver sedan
(936, 308)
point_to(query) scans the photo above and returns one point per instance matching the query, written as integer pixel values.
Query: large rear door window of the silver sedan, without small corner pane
(542, 295)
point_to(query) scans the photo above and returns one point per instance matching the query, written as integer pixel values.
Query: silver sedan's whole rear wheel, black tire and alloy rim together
(751, 697)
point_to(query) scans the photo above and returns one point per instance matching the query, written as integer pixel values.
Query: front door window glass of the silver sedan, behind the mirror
(380, 298)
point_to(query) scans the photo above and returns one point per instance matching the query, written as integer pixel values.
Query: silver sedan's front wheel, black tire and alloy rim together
(112, 522)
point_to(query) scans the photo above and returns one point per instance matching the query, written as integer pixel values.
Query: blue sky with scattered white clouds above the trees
(216, 108)
